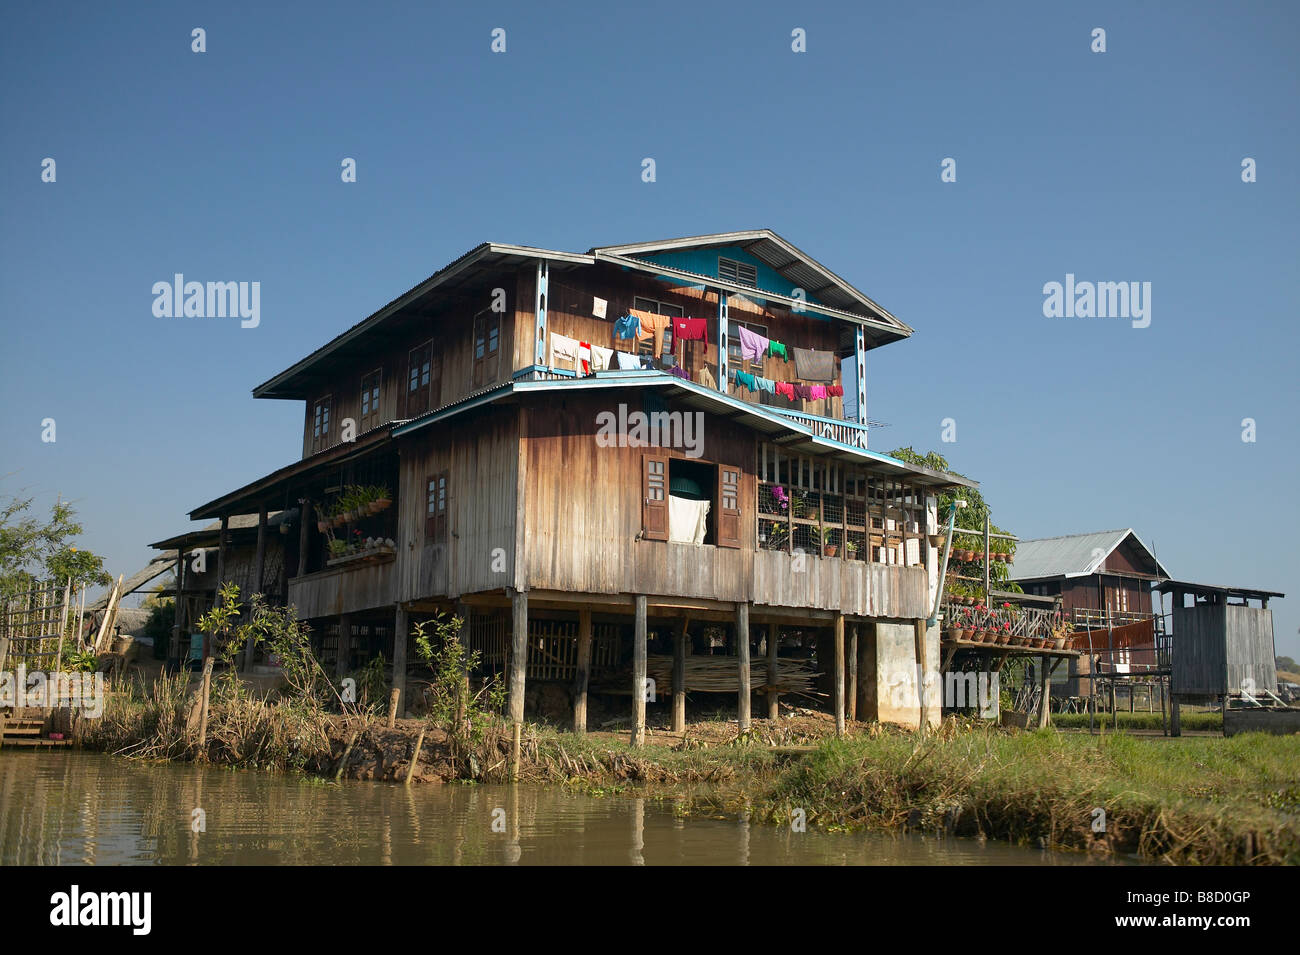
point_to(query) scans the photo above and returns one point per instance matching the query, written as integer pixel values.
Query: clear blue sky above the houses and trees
(1124, 166)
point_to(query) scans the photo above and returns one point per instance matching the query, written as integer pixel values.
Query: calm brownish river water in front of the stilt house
(67, 809)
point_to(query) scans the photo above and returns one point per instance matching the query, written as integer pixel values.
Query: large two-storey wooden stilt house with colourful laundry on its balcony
(592, 457)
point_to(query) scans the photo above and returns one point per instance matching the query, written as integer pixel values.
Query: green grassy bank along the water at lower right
(1198, 801)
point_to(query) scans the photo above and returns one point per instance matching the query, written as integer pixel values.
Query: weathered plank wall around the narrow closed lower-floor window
(480, 454)
